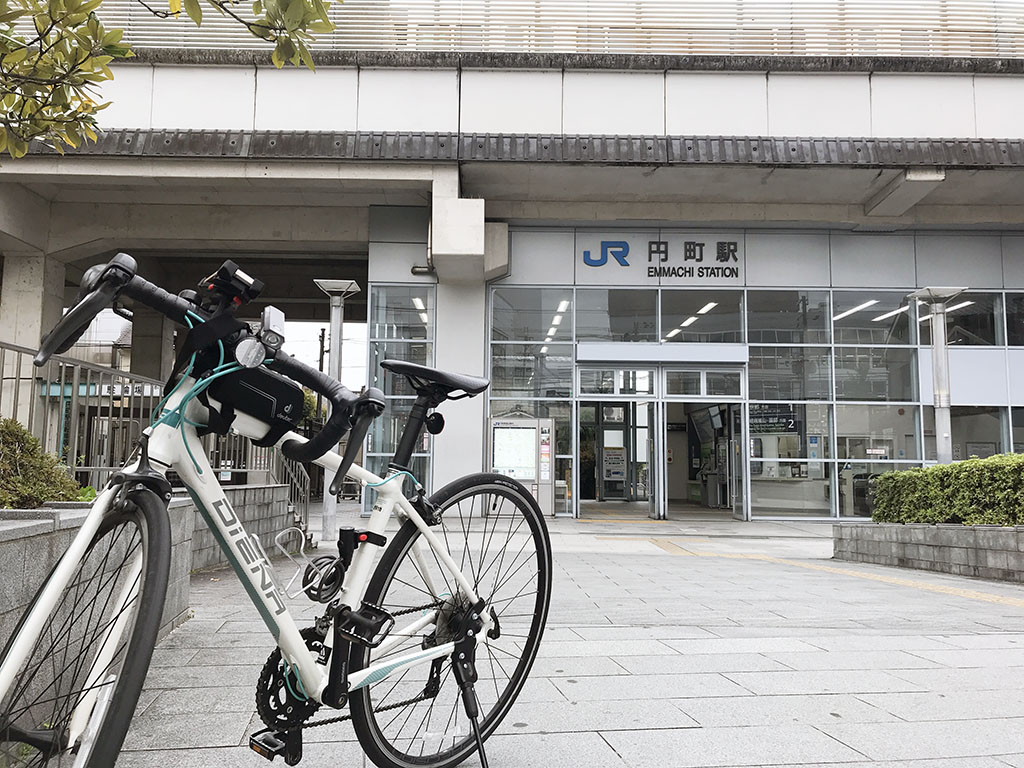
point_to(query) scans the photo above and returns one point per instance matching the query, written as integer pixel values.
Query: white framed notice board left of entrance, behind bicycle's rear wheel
(525, 449)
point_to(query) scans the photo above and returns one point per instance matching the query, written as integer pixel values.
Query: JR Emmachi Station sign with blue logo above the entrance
(660, 258)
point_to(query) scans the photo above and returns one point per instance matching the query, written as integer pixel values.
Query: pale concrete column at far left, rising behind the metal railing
(31, 297)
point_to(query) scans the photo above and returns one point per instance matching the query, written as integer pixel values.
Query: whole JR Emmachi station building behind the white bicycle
(690, 271)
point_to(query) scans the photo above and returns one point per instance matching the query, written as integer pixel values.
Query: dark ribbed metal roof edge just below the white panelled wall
(471, 148)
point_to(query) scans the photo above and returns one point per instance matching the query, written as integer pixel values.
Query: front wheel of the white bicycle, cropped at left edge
(117, 591)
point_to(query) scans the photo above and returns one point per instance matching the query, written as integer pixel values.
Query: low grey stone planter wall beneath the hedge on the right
(984, 551)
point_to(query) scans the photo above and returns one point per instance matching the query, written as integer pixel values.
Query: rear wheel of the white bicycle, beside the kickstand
(494, 531)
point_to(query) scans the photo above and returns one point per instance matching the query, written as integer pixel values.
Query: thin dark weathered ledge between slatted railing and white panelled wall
(616, 62)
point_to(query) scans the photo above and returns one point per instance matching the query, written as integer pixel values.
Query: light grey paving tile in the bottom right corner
(911, 741)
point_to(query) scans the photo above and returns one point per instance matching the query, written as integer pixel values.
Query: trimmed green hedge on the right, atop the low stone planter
(979, 492)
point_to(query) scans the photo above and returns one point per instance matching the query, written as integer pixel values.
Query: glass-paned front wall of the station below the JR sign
(830, 388)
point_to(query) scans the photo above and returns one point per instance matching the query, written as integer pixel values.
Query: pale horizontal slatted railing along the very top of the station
(759, 28)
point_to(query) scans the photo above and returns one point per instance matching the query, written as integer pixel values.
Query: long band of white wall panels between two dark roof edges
(925, 106)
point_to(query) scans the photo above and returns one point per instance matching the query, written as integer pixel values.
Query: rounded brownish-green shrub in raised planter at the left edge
(29, 477)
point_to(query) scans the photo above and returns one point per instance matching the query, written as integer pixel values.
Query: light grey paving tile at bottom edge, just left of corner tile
(730, 747)
